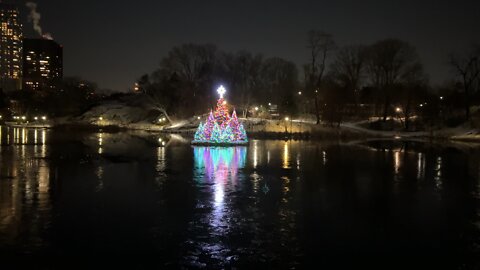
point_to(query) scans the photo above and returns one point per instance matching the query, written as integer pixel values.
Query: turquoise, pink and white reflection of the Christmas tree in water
(216, 173)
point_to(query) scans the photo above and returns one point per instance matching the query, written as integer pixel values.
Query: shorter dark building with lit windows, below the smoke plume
(42, 64)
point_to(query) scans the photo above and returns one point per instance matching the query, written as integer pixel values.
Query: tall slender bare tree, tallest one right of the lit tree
(320, 45)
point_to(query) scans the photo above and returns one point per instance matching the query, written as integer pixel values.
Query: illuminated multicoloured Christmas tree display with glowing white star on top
(220, 127)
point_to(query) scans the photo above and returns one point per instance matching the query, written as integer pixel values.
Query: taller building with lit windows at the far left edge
(10, 48)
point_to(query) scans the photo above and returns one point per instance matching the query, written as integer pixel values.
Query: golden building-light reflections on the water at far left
(25, 182)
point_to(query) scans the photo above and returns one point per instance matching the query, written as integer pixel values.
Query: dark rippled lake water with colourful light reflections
(143, 201)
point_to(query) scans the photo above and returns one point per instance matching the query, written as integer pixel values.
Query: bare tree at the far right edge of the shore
(467, 67)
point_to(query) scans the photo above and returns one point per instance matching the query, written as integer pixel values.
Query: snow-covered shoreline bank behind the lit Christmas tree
(125, 114)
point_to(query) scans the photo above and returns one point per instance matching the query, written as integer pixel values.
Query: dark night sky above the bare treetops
(114, 42)
